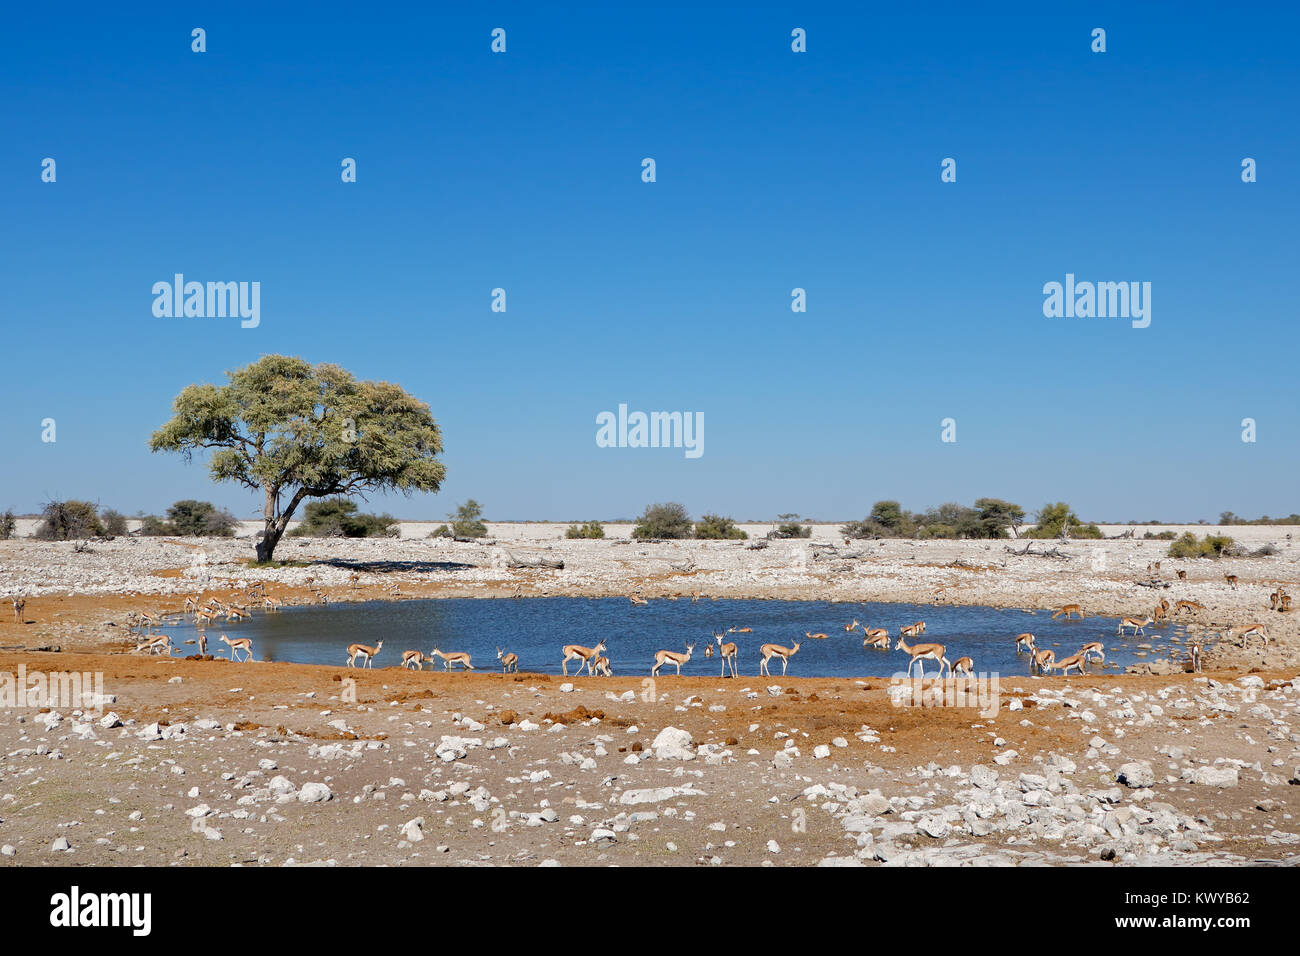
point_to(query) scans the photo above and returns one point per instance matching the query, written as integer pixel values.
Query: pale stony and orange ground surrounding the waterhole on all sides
(213, 763)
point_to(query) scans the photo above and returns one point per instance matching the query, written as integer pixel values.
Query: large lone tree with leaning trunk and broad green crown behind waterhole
(298, 431)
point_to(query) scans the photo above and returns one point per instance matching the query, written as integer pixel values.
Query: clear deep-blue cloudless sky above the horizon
(775, 171)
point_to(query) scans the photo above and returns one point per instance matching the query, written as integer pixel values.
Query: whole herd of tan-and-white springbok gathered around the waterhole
(596, 663)
